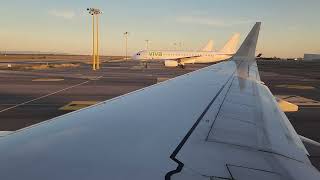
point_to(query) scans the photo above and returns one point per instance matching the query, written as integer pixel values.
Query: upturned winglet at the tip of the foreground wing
(249, 45)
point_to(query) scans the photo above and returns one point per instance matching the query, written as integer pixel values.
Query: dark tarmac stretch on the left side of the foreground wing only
(29, 97)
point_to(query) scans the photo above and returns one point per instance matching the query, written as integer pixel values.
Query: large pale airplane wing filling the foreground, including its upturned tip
(220, 122)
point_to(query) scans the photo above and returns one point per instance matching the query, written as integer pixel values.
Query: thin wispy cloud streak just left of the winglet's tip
(202, 20)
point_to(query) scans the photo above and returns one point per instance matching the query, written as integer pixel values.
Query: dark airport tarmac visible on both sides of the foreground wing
(30, 97)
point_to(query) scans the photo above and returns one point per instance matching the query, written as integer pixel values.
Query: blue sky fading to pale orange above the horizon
(290, 27)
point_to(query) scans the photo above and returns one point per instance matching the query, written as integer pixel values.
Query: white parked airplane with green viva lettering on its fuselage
(181, 58)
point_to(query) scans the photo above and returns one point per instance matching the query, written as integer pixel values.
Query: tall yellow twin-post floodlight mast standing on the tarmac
(95, 37)
